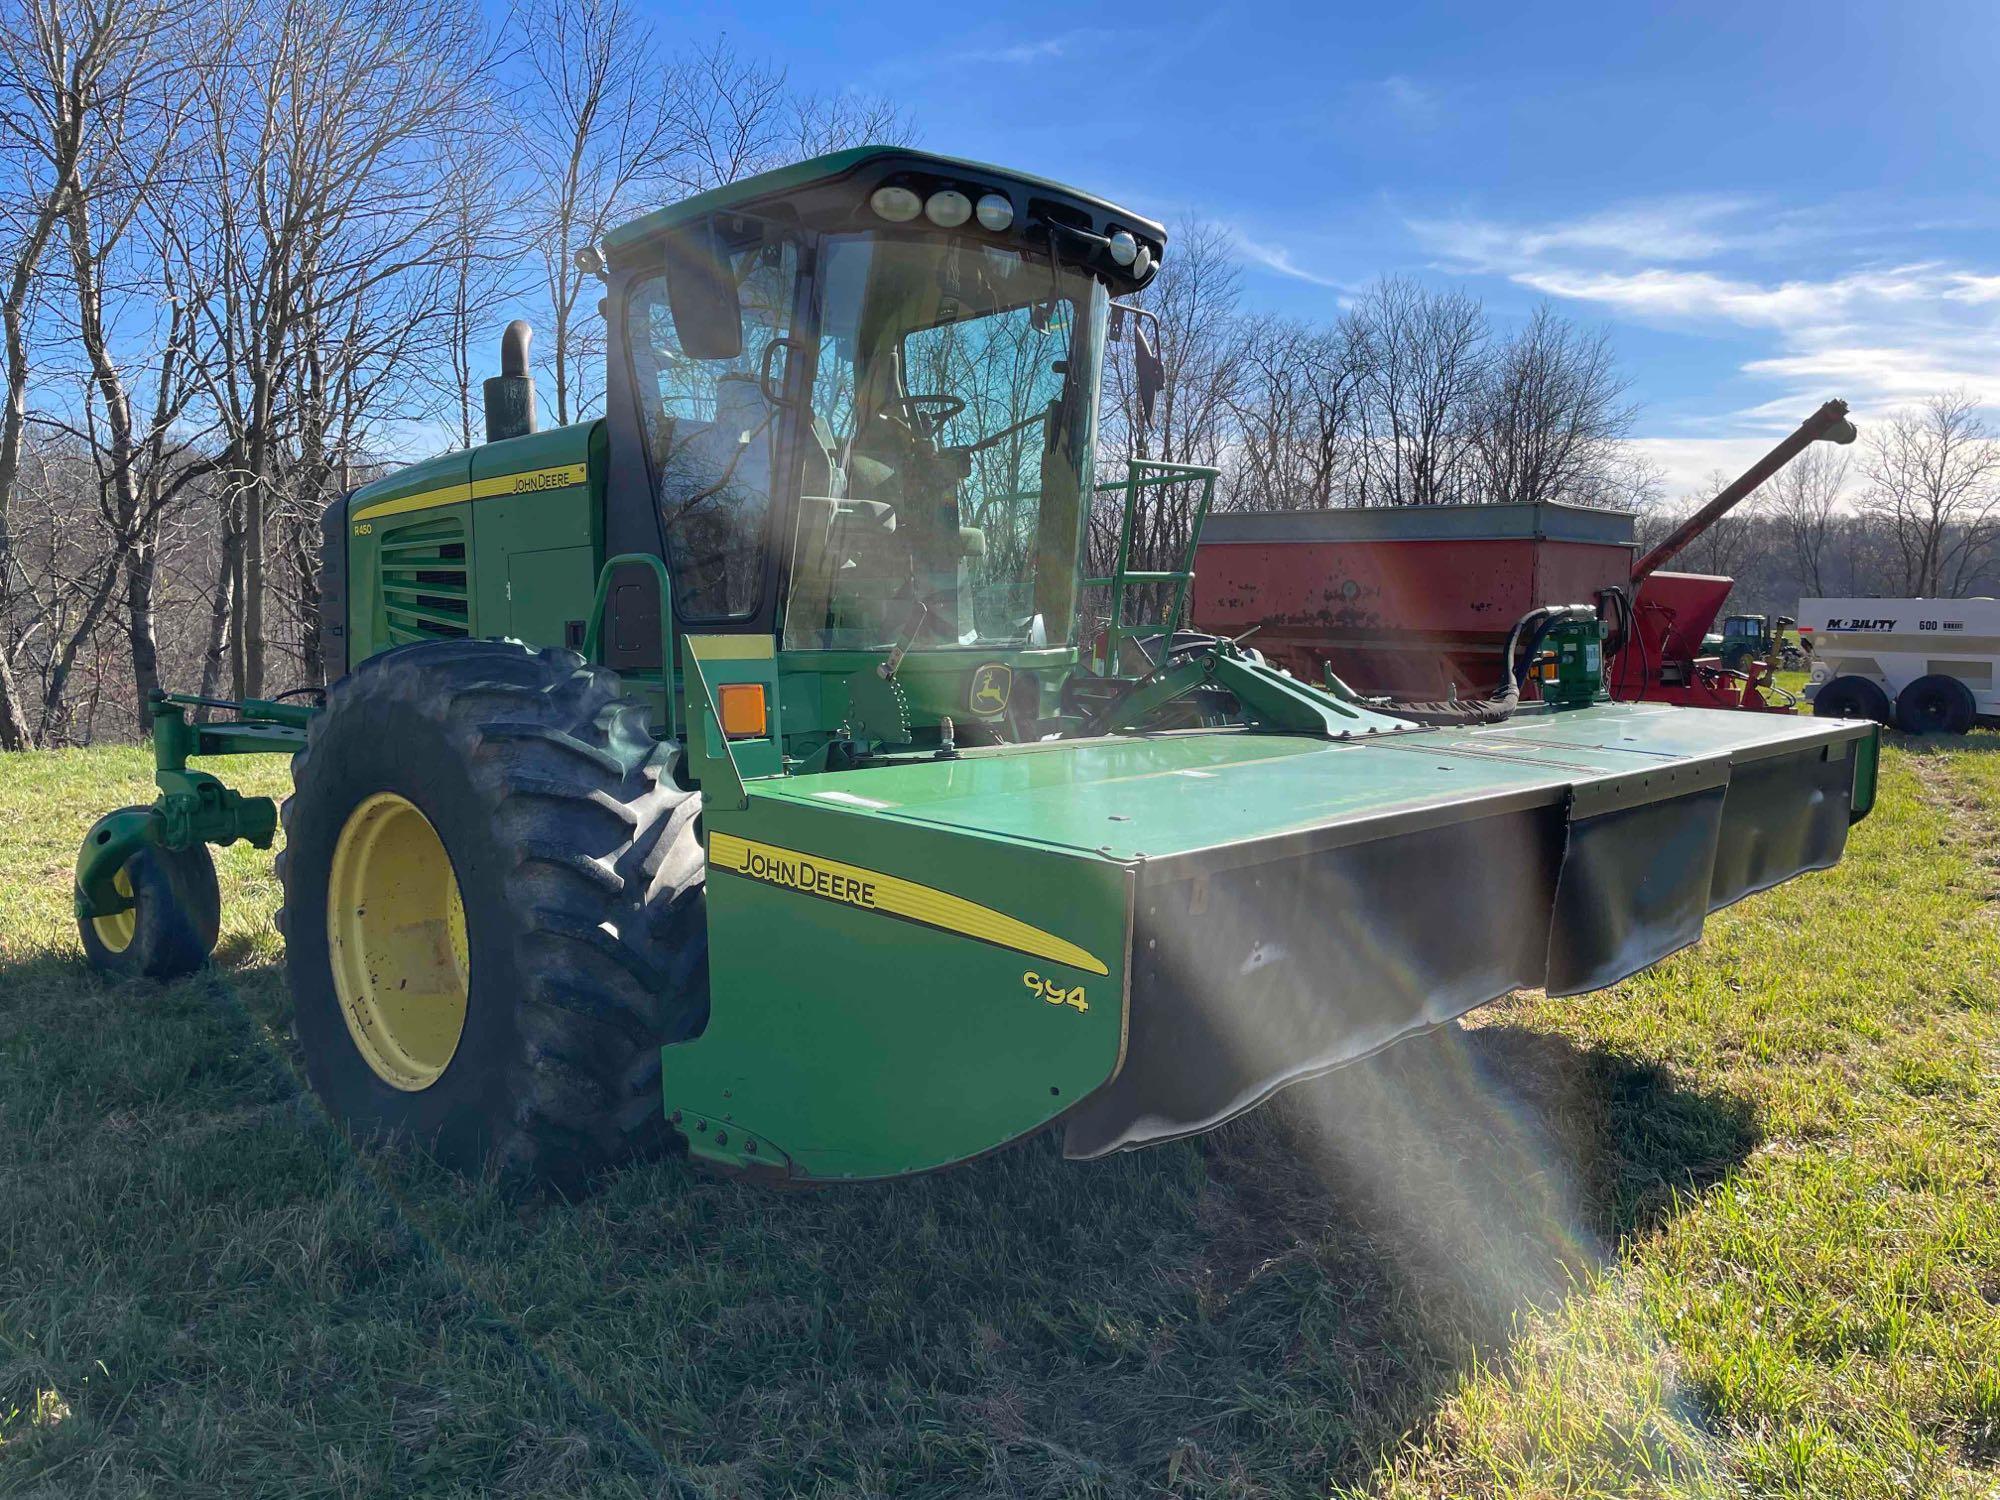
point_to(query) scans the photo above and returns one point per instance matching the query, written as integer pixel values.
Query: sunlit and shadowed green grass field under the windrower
(1727, 1229)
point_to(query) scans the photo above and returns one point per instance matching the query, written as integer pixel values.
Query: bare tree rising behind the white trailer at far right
(1933, 483)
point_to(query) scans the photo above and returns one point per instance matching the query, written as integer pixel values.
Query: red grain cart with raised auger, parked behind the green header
(1419, 601)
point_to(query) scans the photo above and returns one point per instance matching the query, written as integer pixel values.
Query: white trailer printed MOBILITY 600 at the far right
(1915, 663)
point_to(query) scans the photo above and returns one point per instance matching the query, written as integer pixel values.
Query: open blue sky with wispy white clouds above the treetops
(1767, 203)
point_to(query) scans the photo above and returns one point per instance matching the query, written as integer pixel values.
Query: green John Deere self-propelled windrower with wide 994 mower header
(757, 769)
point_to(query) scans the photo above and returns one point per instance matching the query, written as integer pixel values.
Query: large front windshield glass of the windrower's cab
(949, 449)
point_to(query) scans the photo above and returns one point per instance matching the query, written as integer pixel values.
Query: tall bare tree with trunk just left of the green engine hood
(327, 129)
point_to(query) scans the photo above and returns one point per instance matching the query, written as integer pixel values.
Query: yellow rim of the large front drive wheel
(397, 937)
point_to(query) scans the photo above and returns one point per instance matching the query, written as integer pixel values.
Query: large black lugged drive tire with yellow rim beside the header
(493, 909)
